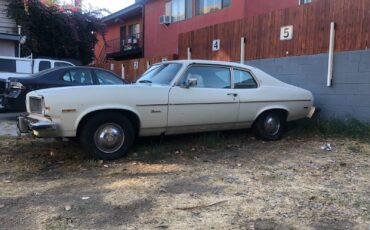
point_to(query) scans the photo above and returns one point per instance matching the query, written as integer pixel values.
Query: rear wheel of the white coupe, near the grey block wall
(270, 125)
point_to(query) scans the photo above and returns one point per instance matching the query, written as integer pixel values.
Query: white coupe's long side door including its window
(209, 105)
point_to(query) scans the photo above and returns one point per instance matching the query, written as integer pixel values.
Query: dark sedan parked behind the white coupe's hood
(16, 89)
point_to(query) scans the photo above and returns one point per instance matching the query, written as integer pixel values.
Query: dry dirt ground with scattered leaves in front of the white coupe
(204, 181)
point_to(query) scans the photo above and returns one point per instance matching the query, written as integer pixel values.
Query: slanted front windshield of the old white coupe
(161, 74)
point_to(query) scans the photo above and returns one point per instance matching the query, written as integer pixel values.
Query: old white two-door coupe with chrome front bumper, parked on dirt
(170, 98)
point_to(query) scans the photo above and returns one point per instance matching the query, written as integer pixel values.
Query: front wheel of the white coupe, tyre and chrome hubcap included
(107, 136)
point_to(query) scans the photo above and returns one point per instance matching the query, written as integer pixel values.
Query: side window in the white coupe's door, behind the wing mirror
(209, 77)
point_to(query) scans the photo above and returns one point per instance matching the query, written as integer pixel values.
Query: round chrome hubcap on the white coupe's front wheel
(109, 138)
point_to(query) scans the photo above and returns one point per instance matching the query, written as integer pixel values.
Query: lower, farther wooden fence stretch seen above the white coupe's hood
(135, 67)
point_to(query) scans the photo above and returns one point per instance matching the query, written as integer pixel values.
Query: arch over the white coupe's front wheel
(132, 116)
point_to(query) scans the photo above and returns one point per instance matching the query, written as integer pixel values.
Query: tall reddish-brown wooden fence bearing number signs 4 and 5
(311, 31)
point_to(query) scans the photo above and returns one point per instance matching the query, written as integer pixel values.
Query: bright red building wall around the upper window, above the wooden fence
(163, 40)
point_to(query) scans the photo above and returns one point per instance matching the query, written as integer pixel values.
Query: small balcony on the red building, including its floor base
(131, 47)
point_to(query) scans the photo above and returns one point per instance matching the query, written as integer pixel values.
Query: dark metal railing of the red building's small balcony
(133, 42)
